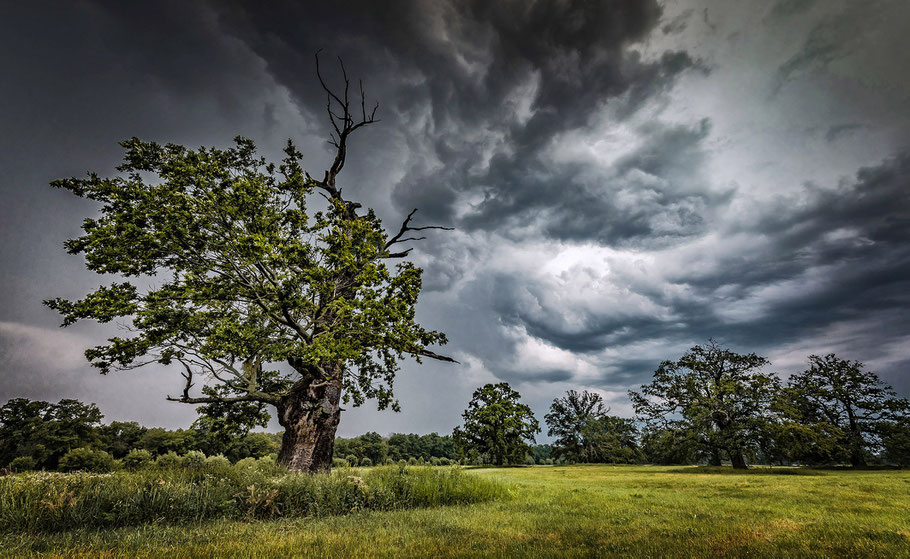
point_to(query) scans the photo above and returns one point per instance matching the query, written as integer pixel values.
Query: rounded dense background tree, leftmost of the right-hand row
(497, 425)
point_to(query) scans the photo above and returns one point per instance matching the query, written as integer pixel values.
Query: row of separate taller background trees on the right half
(710, 406)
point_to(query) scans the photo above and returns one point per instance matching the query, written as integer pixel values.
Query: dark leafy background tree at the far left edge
(45, 431)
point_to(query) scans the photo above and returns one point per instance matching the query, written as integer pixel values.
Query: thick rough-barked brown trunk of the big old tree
(310, 418)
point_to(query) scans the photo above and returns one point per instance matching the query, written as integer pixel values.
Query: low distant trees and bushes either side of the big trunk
(69, 434)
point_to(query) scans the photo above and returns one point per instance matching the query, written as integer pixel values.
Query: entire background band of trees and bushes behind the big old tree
(711, 405)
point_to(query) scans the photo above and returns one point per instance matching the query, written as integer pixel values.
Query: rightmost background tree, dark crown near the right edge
(857, 402)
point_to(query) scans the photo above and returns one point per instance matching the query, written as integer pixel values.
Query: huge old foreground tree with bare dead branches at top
(267, 301)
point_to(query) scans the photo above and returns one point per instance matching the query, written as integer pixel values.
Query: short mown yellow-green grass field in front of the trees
(572, 511)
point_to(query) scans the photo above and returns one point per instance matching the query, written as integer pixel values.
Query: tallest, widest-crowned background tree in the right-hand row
(720, 398)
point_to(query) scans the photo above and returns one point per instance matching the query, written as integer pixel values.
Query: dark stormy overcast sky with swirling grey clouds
(626, 178)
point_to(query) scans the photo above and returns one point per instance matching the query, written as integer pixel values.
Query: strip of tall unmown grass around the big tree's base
(53, 501)
